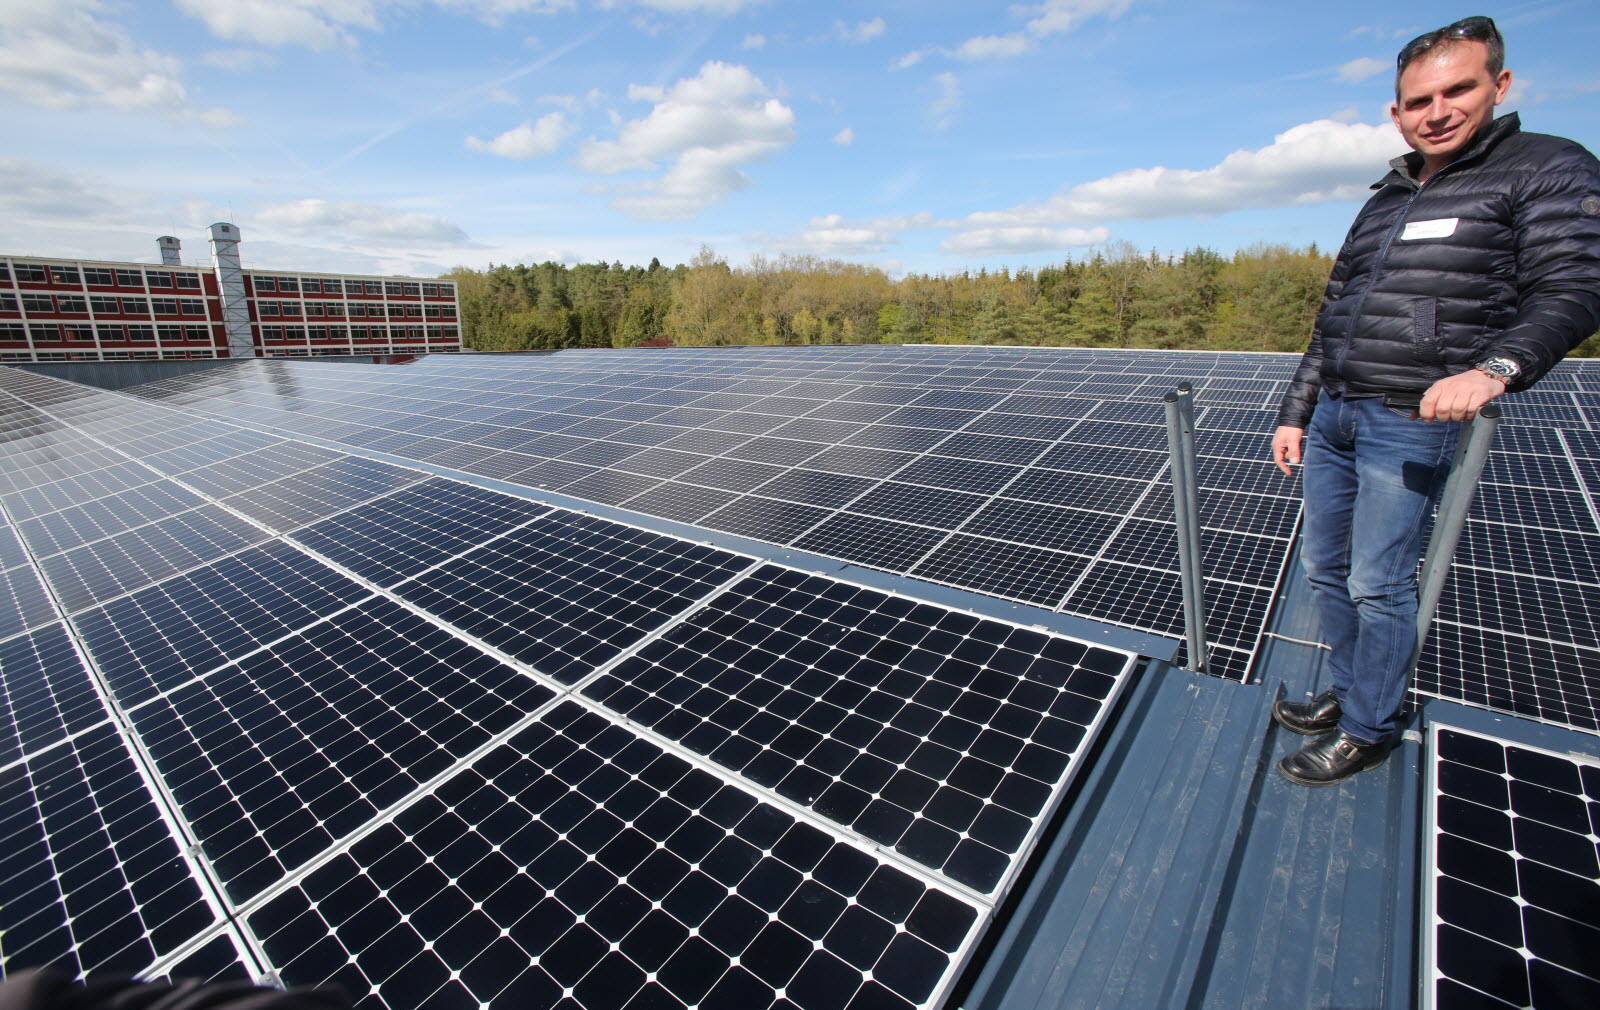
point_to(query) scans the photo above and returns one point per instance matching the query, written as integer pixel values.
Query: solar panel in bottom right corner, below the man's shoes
(1513, 876)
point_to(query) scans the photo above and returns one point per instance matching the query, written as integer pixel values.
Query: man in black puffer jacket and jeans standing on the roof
(1471, 271)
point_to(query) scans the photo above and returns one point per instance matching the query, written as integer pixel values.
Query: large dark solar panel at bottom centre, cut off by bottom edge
(580, 865)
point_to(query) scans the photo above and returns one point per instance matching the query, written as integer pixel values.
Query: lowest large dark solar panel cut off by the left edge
(94, 880)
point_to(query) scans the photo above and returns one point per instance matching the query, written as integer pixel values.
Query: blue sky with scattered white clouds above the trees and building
(935, 137)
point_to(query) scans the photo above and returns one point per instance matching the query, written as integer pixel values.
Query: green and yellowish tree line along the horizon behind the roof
(1263, 299)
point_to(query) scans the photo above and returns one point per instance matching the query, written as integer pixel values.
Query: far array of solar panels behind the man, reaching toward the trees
(1028, 475)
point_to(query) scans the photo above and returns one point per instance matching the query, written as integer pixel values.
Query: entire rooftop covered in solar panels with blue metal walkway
(428, 678)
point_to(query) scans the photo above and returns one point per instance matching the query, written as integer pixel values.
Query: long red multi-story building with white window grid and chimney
(78, 310)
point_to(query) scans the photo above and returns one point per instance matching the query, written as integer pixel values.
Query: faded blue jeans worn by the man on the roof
(1372, 478)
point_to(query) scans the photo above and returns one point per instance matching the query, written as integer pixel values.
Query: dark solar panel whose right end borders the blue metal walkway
(924, 729)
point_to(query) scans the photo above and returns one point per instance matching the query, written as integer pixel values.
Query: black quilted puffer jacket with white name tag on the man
(1497, 257)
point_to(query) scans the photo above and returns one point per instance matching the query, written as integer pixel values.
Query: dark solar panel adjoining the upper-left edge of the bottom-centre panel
(294, 748)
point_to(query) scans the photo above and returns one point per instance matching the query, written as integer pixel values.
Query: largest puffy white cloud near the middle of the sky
(706, 127)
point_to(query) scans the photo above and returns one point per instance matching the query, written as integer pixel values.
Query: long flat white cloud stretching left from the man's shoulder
(1311, 164)
